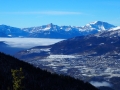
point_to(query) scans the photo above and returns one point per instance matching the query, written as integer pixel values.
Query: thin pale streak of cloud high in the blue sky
(45, 13)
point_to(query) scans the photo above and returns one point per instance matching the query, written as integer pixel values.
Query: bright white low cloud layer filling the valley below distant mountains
(28, 42)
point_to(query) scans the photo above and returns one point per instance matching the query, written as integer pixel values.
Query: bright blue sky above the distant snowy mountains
(28, 13)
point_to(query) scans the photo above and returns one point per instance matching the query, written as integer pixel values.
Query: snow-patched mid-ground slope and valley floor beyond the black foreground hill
(90, 58)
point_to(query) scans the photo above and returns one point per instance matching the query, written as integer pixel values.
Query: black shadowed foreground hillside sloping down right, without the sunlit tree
(35, 78)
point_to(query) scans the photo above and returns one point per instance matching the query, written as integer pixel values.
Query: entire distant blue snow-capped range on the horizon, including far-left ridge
(55, 31)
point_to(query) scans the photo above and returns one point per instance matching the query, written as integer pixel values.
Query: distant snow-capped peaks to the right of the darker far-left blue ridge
(55, 31)
